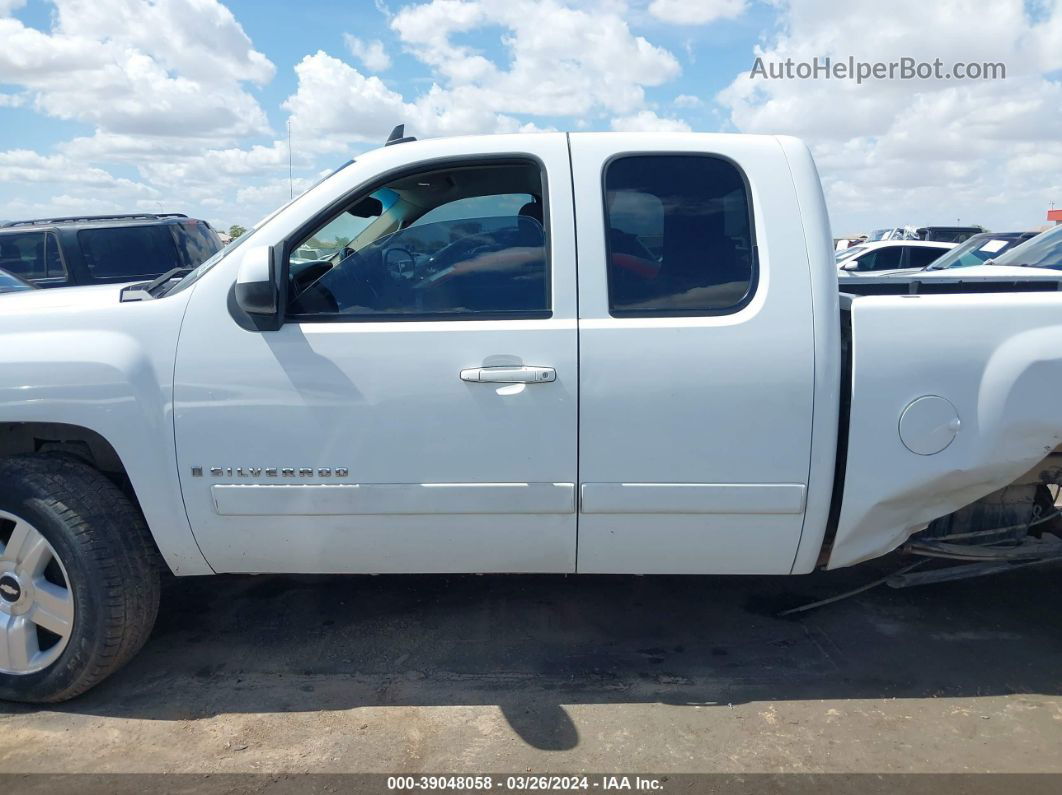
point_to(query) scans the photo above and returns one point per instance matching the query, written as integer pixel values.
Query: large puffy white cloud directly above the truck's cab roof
(562, 62)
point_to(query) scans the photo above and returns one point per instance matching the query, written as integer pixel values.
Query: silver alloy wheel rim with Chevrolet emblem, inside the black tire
(37, 600)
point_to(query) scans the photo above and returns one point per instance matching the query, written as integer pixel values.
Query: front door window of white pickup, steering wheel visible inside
(458, 243)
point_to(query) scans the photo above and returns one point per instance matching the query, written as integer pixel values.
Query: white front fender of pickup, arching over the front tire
(108, 368)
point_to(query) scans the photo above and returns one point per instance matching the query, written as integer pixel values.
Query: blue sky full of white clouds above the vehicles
(185, 106)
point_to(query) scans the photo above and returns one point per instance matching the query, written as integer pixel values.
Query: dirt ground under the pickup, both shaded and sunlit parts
(473, 675)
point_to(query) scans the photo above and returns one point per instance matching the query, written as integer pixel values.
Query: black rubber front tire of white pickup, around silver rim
(110, 560)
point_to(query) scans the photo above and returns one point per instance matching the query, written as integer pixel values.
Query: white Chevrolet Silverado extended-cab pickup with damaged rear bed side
(587, 353)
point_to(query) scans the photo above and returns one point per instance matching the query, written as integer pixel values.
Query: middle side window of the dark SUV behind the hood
(129, 252)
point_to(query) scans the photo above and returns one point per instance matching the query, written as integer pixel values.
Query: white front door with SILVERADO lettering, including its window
(417, 412)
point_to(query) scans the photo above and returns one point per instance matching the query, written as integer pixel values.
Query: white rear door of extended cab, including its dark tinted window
(697, 358)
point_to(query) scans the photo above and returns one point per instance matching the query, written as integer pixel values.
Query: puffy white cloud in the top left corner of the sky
(170, 70)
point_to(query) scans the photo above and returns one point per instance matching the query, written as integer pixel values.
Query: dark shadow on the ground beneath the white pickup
(534, 644)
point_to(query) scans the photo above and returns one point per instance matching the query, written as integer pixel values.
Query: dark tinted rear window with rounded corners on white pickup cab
(680, 236)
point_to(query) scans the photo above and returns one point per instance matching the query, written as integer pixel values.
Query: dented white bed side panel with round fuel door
(996, 358)
